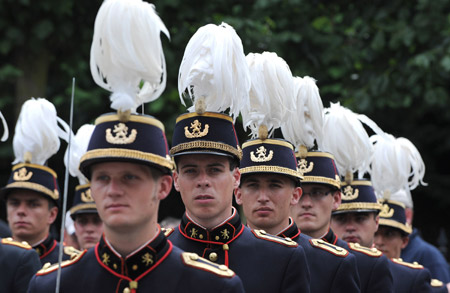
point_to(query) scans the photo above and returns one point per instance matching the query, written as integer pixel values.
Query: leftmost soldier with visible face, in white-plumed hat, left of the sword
(32, 192)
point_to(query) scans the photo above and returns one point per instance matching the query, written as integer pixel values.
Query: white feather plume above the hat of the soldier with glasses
(305, 125)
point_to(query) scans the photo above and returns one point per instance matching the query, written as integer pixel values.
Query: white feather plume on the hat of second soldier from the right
(346, 138)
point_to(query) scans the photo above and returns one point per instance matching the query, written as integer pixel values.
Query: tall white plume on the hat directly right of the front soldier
(214, 69)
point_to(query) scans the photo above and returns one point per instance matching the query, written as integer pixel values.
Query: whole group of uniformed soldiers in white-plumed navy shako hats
(298, 194)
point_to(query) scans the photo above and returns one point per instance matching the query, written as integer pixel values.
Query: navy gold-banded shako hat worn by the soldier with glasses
(318, 167)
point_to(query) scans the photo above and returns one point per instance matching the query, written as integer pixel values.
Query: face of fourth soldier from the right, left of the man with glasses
(266, 200)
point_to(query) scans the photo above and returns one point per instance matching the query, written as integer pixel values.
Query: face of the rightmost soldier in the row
(390, 241)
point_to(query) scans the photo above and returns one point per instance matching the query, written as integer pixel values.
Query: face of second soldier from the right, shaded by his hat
(356, 227)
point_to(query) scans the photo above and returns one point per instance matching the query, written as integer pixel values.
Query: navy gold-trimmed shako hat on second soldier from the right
(358, 196)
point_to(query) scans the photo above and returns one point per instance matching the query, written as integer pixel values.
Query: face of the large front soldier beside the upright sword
(127, 196)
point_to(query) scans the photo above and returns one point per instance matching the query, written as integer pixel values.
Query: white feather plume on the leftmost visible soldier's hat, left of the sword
(37, 132)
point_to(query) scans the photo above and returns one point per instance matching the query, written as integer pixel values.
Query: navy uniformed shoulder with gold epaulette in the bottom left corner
(19, 263)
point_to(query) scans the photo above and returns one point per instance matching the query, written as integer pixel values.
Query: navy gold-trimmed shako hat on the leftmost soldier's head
(33, 177)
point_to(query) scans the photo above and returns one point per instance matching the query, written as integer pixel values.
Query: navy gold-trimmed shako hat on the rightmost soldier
(393, 215)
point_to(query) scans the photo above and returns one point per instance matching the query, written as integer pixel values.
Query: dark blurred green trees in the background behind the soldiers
(389, 60)
